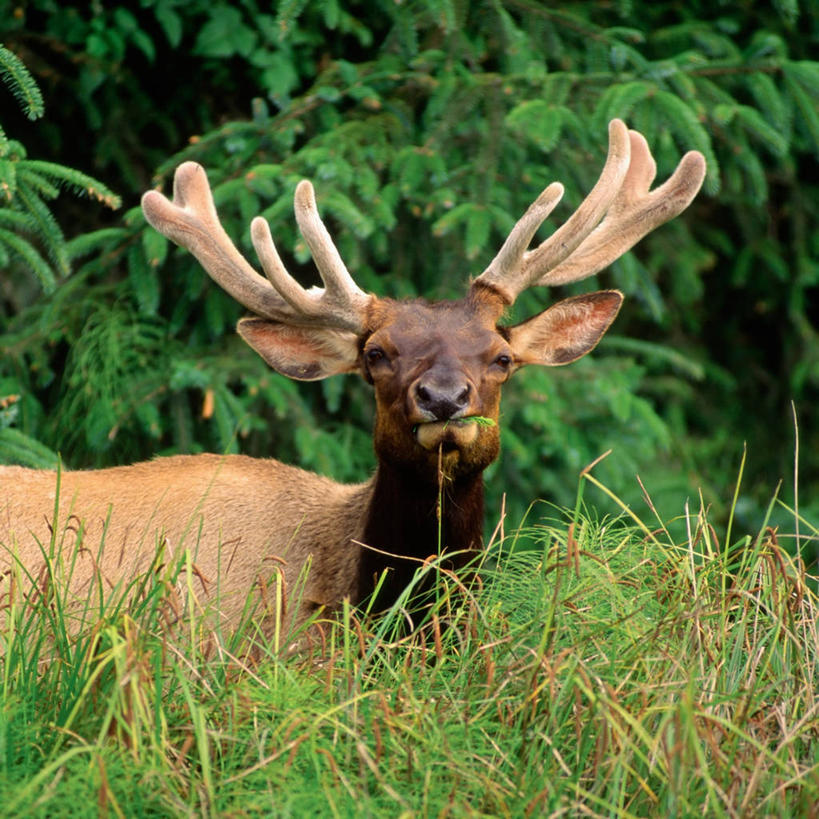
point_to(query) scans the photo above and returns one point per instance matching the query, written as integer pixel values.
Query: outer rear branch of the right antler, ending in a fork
(634, 212)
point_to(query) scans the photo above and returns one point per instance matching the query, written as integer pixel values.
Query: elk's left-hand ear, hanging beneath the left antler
(303, 353)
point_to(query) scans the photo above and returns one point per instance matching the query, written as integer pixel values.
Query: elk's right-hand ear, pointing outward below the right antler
(567, 330)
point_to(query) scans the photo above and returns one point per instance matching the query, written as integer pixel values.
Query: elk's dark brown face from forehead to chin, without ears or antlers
(435, 367)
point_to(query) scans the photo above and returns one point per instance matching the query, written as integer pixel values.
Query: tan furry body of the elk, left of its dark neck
(245, 522)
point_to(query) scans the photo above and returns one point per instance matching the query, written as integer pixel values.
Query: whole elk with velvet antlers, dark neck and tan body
(435, 369)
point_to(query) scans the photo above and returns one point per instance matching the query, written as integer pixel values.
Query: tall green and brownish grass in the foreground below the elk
(599, 667)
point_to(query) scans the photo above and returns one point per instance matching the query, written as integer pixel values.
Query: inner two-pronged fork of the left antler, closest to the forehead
(340, 302)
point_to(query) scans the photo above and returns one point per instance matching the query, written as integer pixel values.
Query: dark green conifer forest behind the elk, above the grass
(427, 127)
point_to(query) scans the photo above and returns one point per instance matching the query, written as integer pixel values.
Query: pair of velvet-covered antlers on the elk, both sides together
(616, 214)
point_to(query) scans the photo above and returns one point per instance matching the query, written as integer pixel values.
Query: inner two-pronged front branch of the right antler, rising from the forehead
(515, 268)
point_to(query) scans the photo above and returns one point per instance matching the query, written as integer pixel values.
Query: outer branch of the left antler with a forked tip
(191, 221)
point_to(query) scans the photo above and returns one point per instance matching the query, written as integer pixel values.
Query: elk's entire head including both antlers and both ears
(435, 366)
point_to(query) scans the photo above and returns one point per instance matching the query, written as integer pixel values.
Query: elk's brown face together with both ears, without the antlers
(436, 366)
